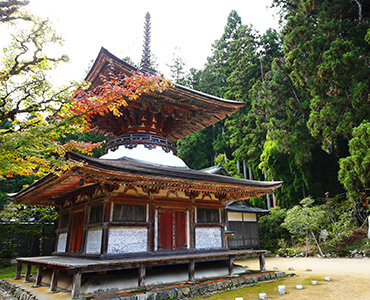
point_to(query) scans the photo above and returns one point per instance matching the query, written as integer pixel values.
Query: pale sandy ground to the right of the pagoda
(350, 278)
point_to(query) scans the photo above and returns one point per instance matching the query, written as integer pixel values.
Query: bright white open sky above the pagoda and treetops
(187, 28)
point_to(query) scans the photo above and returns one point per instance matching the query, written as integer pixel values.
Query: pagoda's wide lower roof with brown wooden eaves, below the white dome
(128, 171)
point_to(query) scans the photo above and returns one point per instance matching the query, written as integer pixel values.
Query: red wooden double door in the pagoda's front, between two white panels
(172, 229)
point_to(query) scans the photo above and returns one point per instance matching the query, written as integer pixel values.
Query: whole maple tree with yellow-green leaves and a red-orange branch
(34, 115)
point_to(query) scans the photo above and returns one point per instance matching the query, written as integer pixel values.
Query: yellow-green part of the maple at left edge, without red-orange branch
(29, 104)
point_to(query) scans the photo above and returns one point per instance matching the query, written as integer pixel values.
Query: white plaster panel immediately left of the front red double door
(127, 240)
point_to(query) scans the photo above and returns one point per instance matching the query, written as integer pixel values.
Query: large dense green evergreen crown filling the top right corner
(326, 52)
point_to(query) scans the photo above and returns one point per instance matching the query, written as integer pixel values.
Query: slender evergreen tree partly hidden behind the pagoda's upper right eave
(212, 80)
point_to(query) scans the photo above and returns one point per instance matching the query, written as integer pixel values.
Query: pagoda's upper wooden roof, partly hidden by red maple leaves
(190, 110)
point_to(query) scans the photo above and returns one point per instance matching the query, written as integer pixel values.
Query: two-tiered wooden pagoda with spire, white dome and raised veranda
(139, 205)
